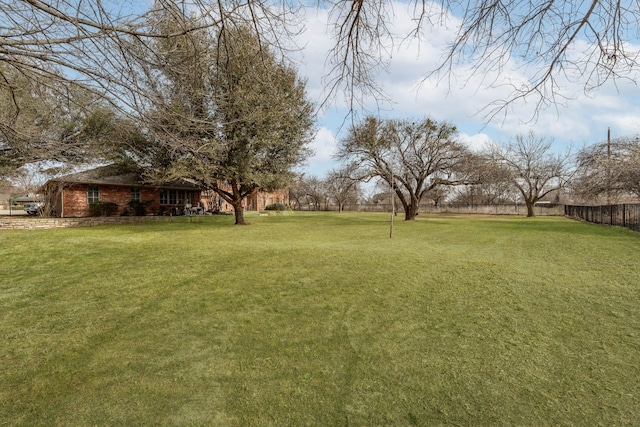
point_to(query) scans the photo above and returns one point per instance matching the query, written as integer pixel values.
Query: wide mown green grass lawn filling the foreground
(321, 320)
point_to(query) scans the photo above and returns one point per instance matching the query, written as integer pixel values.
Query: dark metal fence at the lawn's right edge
(625, 215)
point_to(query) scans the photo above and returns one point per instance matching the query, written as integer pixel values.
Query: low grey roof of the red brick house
(119, 175)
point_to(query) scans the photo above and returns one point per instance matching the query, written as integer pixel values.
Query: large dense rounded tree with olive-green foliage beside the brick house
(227, 113)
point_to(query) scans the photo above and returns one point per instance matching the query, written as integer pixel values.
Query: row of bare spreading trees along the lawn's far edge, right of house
(420, 160)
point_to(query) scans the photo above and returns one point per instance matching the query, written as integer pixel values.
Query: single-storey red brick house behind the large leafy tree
(77, 195)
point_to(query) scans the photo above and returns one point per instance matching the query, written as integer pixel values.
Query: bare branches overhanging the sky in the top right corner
(587, 42)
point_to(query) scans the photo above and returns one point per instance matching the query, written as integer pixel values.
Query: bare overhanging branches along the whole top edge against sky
(587, 41)
